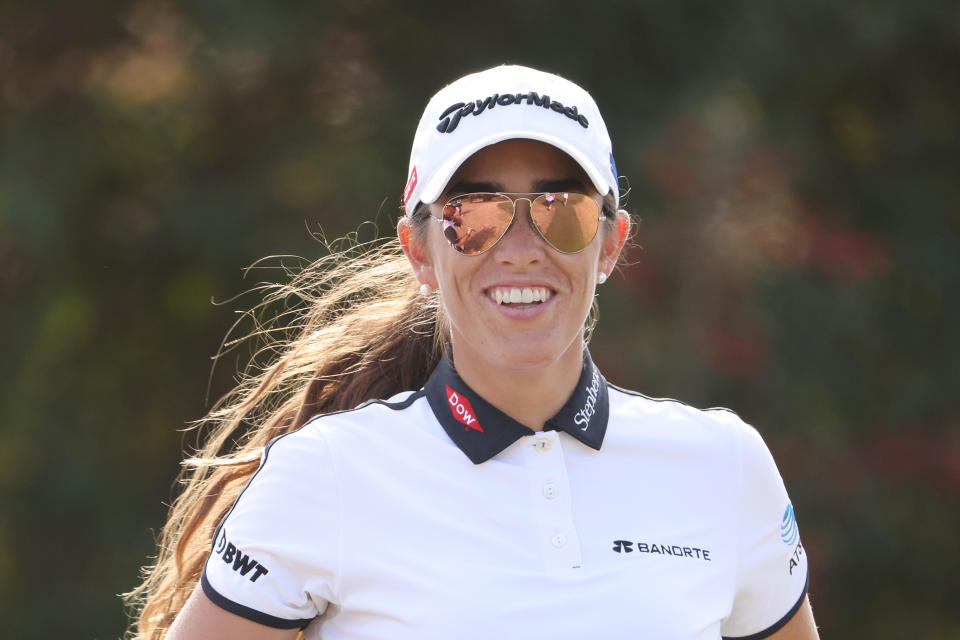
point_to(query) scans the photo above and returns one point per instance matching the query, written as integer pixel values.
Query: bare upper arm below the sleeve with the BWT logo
(200, 619)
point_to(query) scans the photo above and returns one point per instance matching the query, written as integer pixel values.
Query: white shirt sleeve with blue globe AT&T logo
(771, 573)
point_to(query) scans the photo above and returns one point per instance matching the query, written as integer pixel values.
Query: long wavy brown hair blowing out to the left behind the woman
(353, 327)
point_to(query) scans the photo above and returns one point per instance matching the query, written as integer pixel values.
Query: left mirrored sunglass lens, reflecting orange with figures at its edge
(473, 223)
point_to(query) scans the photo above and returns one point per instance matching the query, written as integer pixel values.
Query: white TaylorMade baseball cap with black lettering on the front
(504, 103)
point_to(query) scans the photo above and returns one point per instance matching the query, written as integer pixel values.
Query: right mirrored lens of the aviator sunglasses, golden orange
(568, 221)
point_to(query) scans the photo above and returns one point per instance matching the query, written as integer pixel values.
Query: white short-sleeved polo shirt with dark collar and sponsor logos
(435, 515)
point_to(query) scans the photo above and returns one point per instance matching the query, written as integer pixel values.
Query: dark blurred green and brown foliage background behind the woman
(794, 165)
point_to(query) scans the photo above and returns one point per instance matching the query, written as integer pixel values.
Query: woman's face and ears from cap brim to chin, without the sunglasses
(517, 336)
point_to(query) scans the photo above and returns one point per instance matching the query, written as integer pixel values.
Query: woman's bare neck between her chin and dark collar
(530, 395)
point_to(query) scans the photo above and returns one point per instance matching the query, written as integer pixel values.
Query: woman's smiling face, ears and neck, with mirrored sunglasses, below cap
(499, 327)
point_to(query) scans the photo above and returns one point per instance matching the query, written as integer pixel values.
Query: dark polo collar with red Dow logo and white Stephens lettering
(482, 431)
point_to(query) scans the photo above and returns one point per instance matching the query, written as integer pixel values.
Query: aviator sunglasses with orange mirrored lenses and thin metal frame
(474, 222)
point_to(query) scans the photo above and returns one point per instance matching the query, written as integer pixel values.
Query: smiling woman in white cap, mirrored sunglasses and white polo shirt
(504, 489)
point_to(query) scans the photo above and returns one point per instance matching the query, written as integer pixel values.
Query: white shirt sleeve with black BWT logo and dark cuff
(275, 556)
